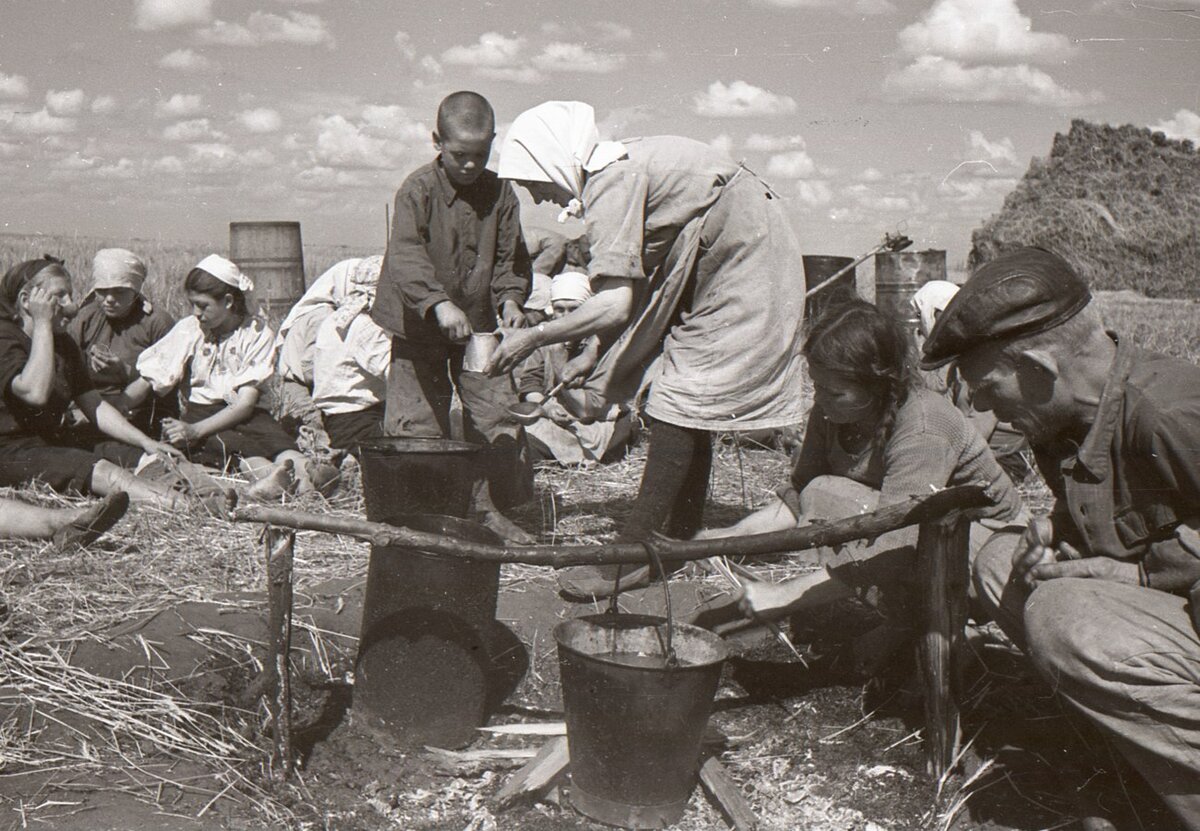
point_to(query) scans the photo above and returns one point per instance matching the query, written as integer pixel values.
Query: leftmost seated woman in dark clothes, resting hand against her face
(43, 372)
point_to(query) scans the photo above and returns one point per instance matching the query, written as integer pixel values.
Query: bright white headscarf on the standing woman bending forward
(557, 142)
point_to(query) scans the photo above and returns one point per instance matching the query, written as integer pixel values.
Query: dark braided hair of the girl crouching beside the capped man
(857, 340)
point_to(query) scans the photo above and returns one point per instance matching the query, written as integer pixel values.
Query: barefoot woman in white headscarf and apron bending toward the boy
(692, 258)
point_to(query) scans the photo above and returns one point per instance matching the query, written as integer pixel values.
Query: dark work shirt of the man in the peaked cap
(1132, 489)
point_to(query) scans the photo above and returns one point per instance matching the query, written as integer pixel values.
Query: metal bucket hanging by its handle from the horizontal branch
(635, 725)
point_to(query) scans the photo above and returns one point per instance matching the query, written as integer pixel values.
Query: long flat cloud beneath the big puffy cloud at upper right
(943, 80)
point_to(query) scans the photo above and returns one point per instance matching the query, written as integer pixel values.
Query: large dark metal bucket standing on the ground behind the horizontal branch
(424, 665)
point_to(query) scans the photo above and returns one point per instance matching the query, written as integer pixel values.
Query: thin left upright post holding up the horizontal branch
(279, 546)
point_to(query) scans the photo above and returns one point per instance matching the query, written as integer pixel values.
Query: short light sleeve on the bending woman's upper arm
(615, 214)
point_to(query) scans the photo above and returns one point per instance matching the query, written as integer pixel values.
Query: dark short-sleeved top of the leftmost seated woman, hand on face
(71, 379)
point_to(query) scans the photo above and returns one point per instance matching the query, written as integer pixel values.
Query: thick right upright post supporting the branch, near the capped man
(943, 558)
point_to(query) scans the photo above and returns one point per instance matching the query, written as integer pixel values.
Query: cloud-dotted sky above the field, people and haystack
(171, 118)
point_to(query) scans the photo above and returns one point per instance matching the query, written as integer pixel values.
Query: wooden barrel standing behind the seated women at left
(272, 255)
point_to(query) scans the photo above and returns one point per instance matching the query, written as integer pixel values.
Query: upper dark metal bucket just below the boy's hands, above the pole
(406, 475)
